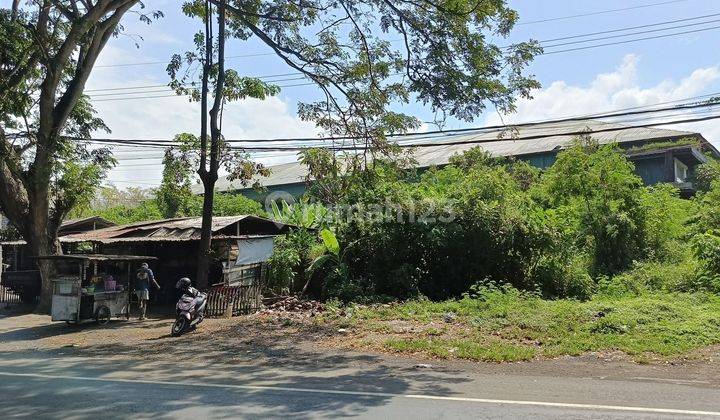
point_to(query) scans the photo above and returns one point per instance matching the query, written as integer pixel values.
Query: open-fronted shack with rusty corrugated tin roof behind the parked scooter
(240, 245)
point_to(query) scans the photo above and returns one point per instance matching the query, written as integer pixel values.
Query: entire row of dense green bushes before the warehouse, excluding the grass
(586, 225)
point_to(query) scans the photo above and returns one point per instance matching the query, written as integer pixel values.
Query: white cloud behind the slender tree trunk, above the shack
(163, 118)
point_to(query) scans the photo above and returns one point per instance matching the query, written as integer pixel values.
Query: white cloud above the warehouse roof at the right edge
(615, 90)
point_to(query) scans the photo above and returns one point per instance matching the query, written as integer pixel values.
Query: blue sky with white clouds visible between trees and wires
(575, 82)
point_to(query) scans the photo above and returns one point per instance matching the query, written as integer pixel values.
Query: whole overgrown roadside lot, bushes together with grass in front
(509, 262)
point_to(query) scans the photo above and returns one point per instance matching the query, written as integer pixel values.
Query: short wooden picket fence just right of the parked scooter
(233, 300)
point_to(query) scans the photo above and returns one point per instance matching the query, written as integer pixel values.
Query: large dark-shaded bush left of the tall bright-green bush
(495, 232)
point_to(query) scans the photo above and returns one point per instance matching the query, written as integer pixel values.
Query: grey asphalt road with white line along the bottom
(61, 386)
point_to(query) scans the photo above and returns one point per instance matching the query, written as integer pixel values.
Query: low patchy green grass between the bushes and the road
(510, 325)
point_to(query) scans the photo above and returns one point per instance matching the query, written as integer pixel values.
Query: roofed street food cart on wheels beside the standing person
(91, 286)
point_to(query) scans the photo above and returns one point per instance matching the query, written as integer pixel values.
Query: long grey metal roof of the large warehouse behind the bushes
(293, 173)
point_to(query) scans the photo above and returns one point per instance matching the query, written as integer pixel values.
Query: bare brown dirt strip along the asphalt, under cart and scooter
(267, 339)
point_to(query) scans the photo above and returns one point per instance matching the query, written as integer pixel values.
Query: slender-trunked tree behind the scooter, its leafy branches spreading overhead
(444, 60)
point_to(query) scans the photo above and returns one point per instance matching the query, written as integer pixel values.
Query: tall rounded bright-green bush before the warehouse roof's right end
(595, 194)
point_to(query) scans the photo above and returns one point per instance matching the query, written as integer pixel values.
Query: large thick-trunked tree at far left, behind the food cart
(48, 49)
